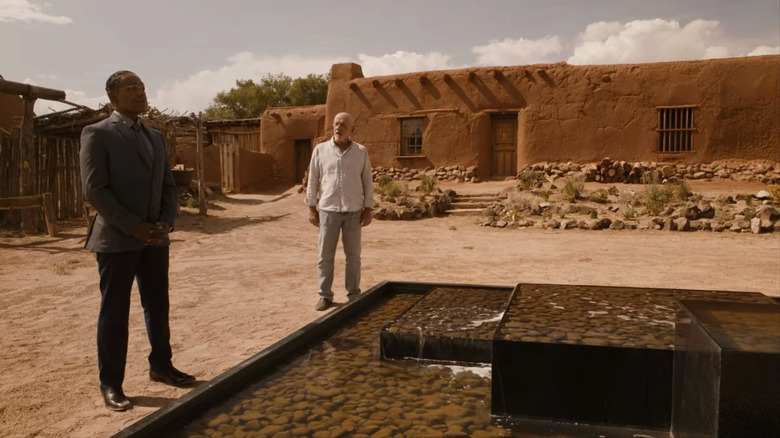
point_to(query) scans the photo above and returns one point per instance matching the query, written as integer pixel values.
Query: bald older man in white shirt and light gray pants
(340, 196)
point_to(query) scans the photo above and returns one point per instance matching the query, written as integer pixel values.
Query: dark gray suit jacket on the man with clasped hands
(124, 184)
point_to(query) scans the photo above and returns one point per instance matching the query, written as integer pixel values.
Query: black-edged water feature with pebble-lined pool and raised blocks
(428, 360)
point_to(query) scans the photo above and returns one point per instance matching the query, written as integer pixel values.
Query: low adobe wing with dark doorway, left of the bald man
(281, 127)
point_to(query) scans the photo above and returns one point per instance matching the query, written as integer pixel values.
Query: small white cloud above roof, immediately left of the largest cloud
(519, 51)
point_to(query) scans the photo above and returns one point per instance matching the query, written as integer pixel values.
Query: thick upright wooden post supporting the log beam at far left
(28, 166)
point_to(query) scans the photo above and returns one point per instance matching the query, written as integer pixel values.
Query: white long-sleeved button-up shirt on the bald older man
(342, 180)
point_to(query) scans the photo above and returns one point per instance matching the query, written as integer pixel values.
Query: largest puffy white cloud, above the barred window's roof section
(648, 41)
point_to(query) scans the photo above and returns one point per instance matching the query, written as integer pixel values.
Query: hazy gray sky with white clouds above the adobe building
(188, 50)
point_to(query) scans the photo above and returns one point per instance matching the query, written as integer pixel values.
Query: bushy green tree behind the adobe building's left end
(249, 99)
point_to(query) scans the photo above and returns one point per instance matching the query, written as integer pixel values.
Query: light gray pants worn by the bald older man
(331, 223)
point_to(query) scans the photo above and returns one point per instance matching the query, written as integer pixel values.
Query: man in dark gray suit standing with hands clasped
(127, 178)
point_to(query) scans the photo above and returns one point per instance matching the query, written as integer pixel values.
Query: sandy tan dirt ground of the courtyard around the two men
(243, 277)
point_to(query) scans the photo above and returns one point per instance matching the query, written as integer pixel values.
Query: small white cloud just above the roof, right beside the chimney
(404, 62)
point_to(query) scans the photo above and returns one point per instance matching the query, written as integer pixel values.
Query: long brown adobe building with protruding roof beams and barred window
(500, 119)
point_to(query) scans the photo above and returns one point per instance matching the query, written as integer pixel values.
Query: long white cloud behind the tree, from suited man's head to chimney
(195, 93)
